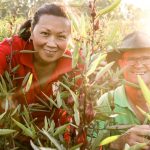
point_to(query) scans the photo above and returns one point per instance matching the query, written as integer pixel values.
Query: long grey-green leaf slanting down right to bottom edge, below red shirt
(53, 140)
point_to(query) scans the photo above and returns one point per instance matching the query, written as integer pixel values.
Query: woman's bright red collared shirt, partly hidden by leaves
(13, 47)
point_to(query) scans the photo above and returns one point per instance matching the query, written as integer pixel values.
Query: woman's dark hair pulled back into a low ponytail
(46, 9)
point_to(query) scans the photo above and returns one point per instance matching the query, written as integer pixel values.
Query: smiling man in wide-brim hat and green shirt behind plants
(133, 55)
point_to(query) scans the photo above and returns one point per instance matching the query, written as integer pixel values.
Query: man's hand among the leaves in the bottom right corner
(135, 135)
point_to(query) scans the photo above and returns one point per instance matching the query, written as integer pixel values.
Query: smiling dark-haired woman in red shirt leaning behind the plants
(48, 40)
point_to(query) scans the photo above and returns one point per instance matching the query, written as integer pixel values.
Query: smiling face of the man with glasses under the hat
(137, 62)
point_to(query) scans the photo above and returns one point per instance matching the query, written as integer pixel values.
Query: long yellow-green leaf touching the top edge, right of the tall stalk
(109, 8)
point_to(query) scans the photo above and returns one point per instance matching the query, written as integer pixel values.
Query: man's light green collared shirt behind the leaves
(125, 114)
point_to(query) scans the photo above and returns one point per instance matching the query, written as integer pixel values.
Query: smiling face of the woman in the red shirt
(50, 38)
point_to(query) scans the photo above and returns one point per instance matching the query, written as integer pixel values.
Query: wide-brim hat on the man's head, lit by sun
(133, 41)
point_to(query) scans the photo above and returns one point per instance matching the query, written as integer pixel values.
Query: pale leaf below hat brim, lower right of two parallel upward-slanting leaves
(103, 70)
